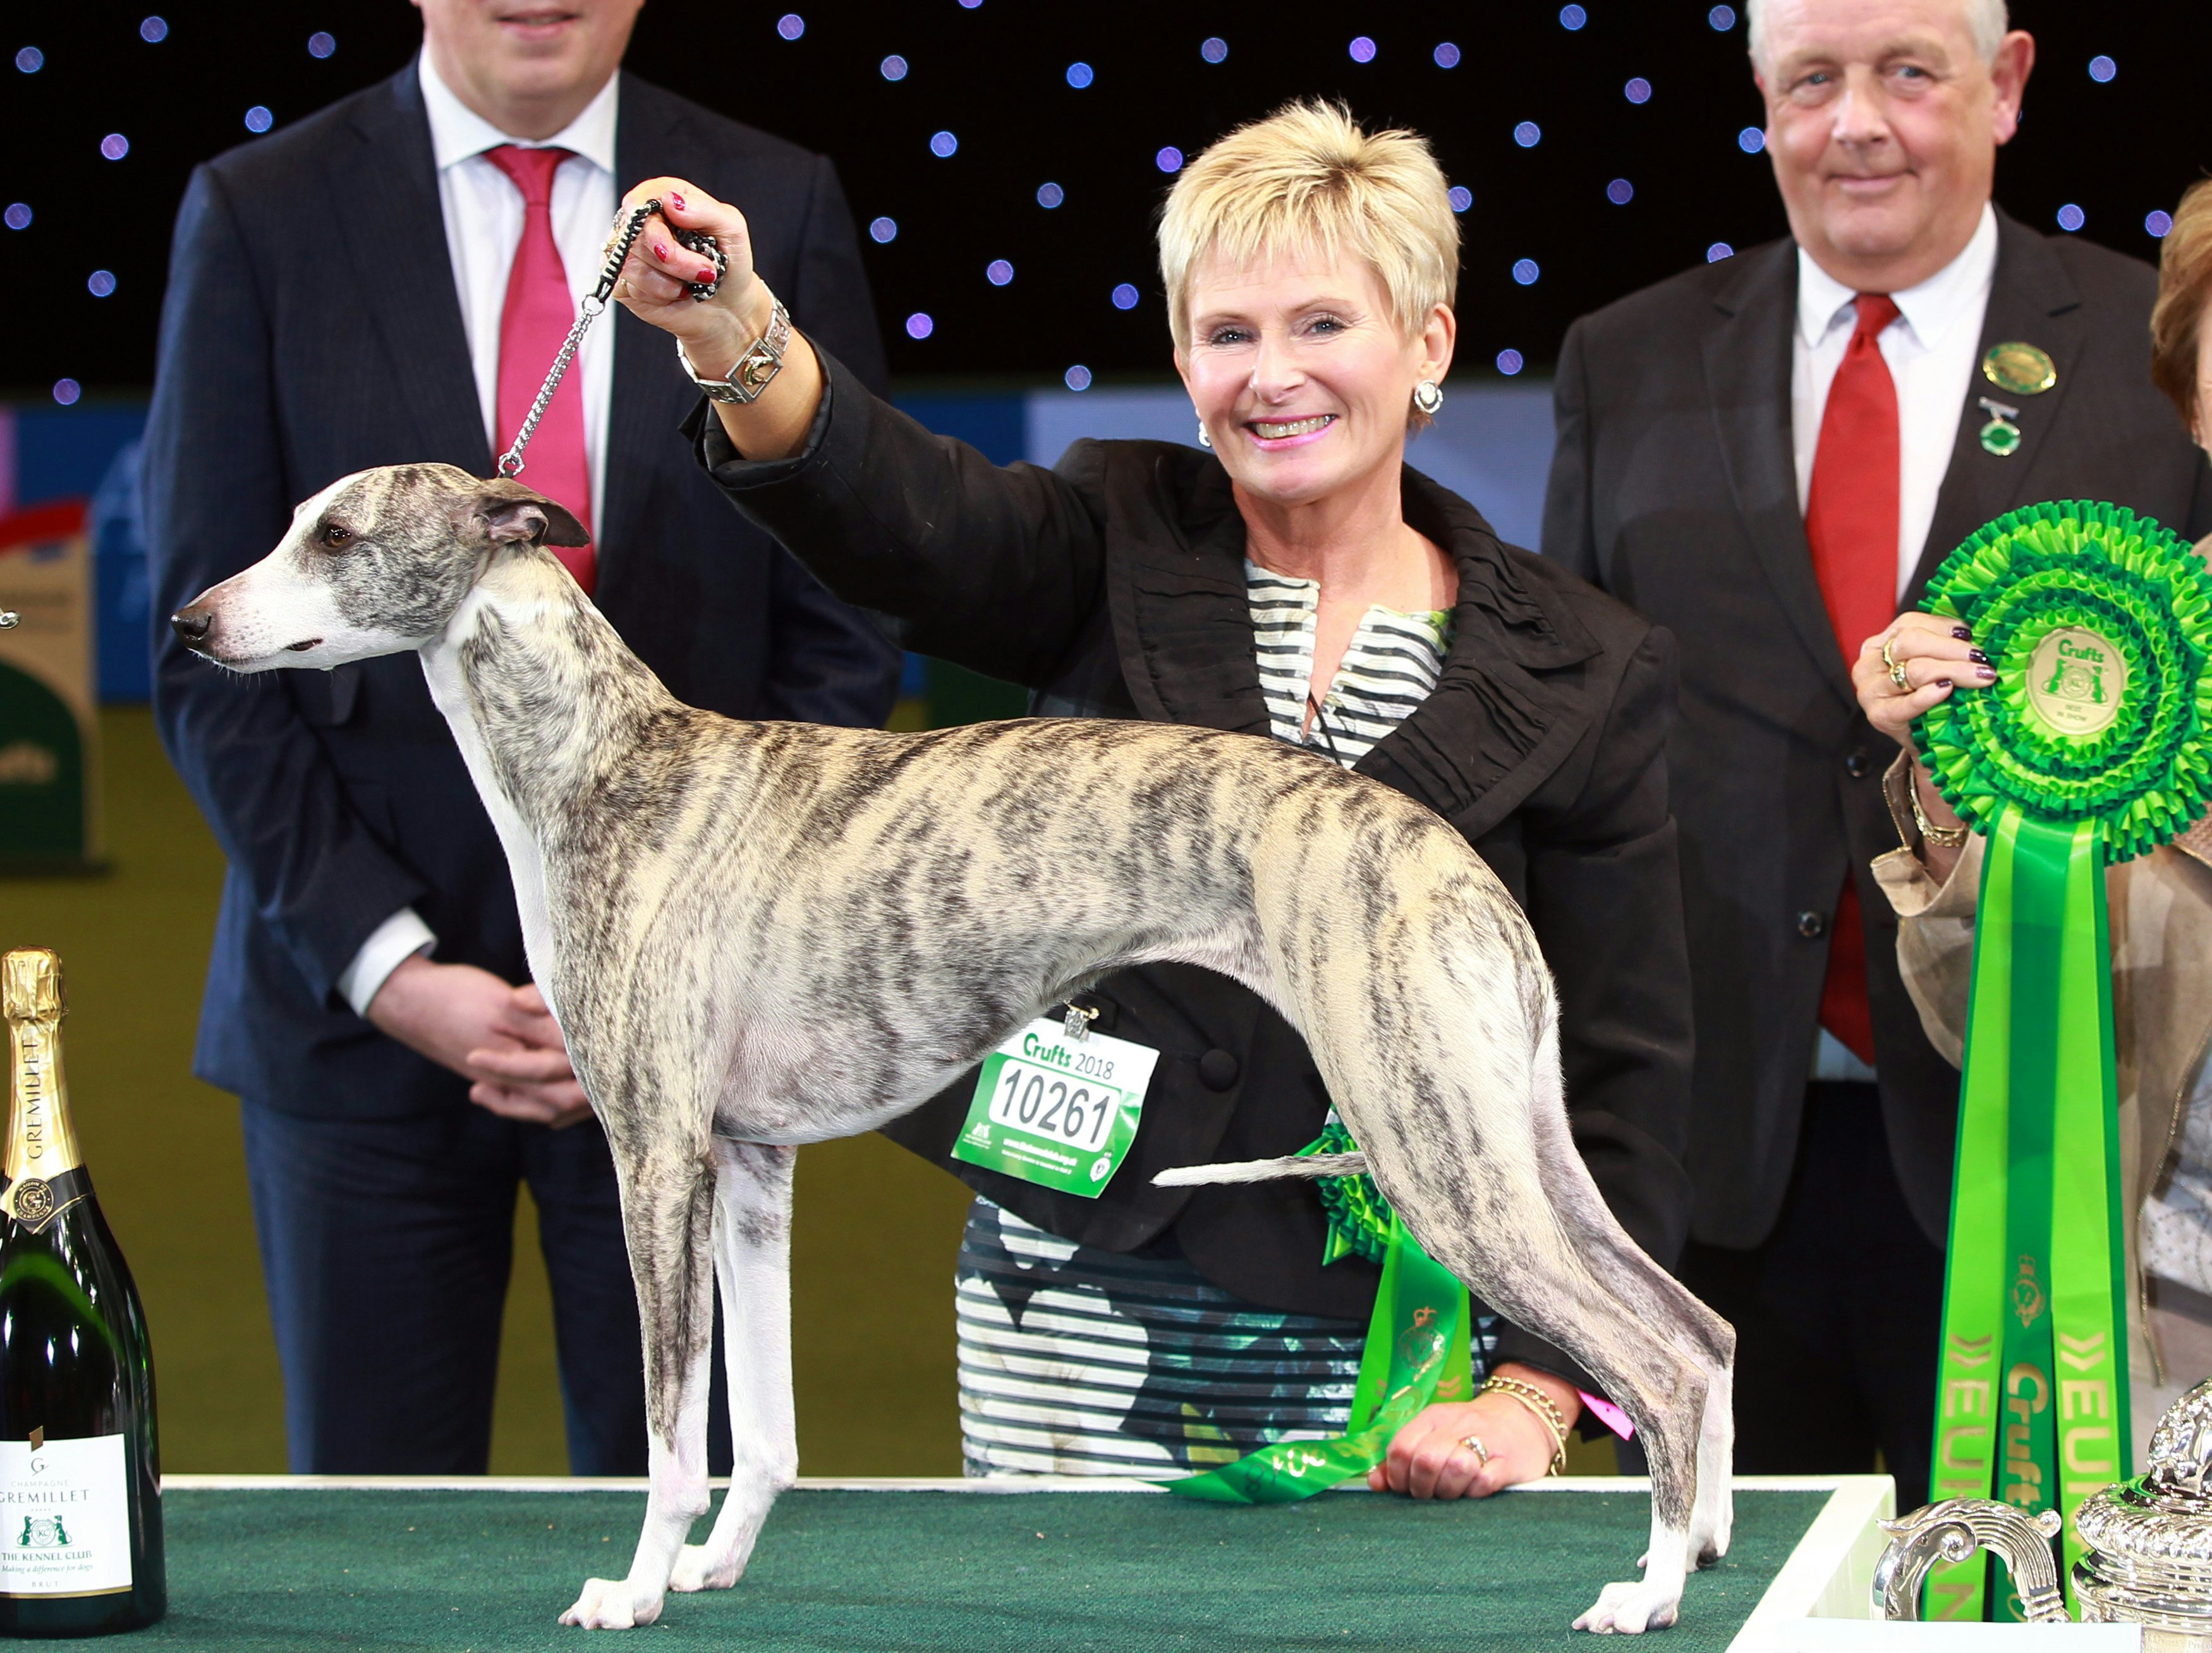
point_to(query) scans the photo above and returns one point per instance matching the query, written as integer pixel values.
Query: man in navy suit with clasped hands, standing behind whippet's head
(379, 284)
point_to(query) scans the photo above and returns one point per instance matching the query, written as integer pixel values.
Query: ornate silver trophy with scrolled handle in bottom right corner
(2149, 1543)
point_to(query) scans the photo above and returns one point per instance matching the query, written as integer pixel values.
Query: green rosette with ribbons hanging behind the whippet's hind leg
(1417, 1351)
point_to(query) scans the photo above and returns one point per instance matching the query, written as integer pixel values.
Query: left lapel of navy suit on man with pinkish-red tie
(395, 236)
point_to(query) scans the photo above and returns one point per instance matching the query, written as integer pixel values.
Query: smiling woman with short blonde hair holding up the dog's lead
(1295, 581)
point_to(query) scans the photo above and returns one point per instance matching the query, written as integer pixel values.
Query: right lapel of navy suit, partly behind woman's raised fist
(651, 395)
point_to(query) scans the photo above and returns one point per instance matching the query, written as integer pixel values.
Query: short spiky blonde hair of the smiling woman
(1311, 180)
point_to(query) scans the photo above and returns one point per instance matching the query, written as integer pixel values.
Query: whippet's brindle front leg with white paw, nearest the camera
(669, 1223)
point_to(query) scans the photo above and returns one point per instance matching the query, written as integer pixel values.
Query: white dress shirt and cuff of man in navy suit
(483, 227)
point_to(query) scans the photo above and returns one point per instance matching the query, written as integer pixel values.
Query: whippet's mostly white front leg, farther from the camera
(753, 1260)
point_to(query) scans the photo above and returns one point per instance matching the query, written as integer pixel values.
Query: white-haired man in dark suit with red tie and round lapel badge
(1771, 457)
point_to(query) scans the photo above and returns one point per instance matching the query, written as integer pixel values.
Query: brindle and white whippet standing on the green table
(713, 908)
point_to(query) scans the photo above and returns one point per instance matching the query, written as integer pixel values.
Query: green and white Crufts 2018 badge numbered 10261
(1056, 1110)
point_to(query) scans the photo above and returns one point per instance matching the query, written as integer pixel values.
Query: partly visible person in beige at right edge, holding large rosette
(2160, 911)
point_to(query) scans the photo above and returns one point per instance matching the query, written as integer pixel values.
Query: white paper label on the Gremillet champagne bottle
(65, 1517)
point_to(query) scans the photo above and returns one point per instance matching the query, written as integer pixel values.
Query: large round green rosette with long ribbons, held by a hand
(2091, 749)
